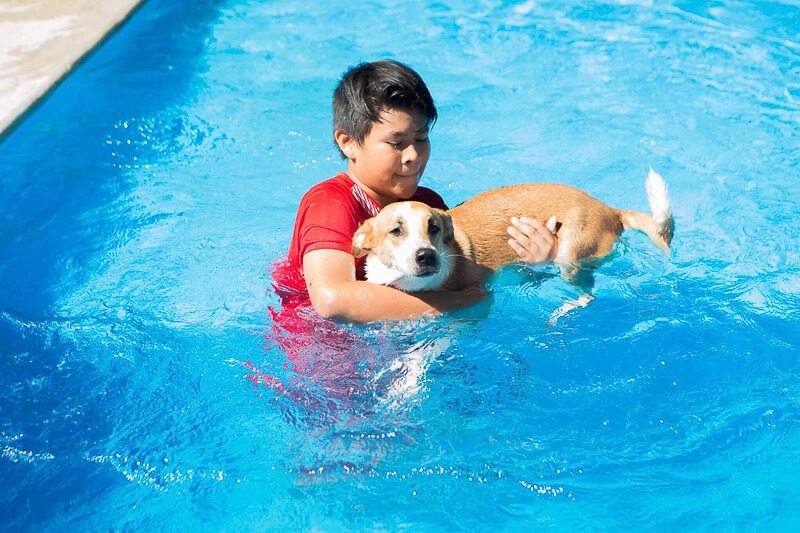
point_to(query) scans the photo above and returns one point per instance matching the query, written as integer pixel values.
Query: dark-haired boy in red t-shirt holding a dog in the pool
(382, 116)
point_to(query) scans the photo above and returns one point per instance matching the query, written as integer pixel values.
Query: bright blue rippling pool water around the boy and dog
(144, 383)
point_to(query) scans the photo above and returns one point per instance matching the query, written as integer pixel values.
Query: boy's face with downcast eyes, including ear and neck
(389, 163)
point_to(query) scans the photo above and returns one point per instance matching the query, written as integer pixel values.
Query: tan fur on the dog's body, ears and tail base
(589, 229)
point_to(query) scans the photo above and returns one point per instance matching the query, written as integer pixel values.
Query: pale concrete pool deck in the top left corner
(42, 40)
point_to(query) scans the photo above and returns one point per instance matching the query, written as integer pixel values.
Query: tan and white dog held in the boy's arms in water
(414, 247)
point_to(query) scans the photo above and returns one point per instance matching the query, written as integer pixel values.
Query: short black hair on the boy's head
(370, 88)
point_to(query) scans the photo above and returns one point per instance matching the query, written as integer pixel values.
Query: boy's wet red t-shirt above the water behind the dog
(327, 218)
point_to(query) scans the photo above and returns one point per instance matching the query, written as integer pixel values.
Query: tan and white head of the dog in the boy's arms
(407, 246)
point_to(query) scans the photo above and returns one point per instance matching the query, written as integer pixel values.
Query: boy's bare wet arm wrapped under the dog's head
(336, 293)
